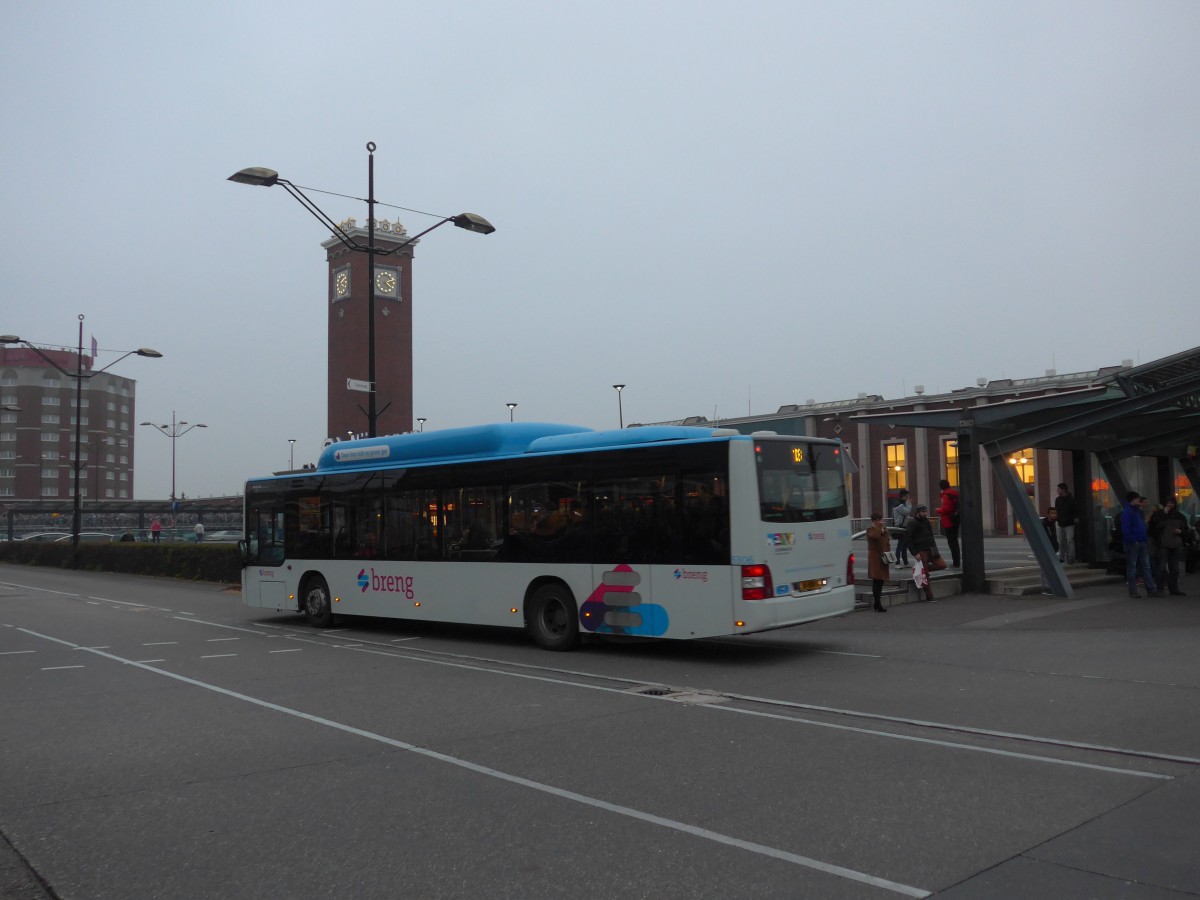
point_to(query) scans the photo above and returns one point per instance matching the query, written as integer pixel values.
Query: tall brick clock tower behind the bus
(349, 328)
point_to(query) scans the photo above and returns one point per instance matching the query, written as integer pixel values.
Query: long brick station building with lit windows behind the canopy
(891, 455)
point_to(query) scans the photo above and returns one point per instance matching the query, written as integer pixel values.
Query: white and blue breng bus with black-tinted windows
(671, 532)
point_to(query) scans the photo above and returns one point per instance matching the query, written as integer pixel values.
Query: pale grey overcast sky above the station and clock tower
(725, 207)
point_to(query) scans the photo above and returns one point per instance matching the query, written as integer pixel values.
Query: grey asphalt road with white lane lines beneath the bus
(158, 740)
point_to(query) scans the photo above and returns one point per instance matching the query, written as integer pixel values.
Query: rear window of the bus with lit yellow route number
(800, 482)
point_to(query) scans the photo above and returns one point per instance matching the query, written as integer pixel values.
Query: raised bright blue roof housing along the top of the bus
(493, 441)
